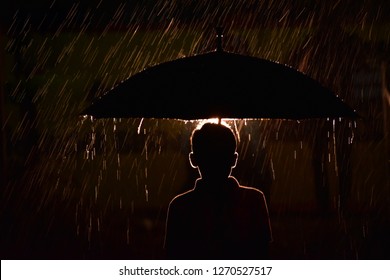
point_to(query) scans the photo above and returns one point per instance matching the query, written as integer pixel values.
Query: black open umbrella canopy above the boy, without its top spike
(219, 84)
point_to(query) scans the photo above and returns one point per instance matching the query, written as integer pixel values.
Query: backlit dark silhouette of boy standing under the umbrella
(218, 218)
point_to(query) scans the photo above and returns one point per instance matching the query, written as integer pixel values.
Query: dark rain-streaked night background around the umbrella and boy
(76, 189)
